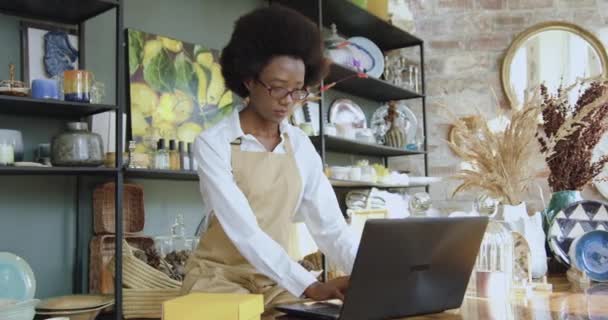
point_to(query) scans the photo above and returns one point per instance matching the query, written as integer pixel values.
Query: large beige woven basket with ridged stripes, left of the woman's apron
(145, 288)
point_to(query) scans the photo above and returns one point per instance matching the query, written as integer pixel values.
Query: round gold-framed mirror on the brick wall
(553, 53)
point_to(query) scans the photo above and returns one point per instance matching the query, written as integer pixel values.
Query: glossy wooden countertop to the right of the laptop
(563, 303)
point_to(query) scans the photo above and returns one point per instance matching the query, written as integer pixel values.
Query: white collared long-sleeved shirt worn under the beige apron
(317, 205)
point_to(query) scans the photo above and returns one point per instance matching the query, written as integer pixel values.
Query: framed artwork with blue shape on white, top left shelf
(47, 50)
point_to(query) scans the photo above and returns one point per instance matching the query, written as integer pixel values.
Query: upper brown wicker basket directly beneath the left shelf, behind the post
(104, 203)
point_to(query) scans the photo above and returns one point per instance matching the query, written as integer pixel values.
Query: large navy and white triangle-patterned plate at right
(574, 221)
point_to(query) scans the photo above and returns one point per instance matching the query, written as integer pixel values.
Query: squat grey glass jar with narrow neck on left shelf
(77, 147)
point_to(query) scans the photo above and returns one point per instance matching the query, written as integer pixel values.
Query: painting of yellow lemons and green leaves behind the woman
(176, 89)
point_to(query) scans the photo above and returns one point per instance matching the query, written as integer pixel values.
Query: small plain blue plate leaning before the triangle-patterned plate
(591, 255)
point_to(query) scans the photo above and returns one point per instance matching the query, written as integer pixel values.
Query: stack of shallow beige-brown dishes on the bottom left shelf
(76, 307)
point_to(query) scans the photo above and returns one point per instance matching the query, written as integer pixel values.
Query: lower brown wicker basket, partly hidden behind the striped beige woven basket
(101, 278)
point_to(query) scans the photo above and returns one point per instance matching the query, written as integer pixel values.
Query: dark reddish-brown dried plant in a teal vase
(567, 137)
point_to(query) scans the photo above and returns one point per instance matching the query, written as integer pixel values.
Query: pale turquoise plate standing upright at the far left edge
(17, 279)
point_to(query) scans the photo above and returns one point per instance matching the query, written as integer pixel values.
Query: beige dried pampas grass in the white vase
(501, 161)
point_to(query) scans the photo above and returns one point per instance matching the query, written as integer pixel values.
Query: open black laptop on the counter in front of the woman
(405, 267)
